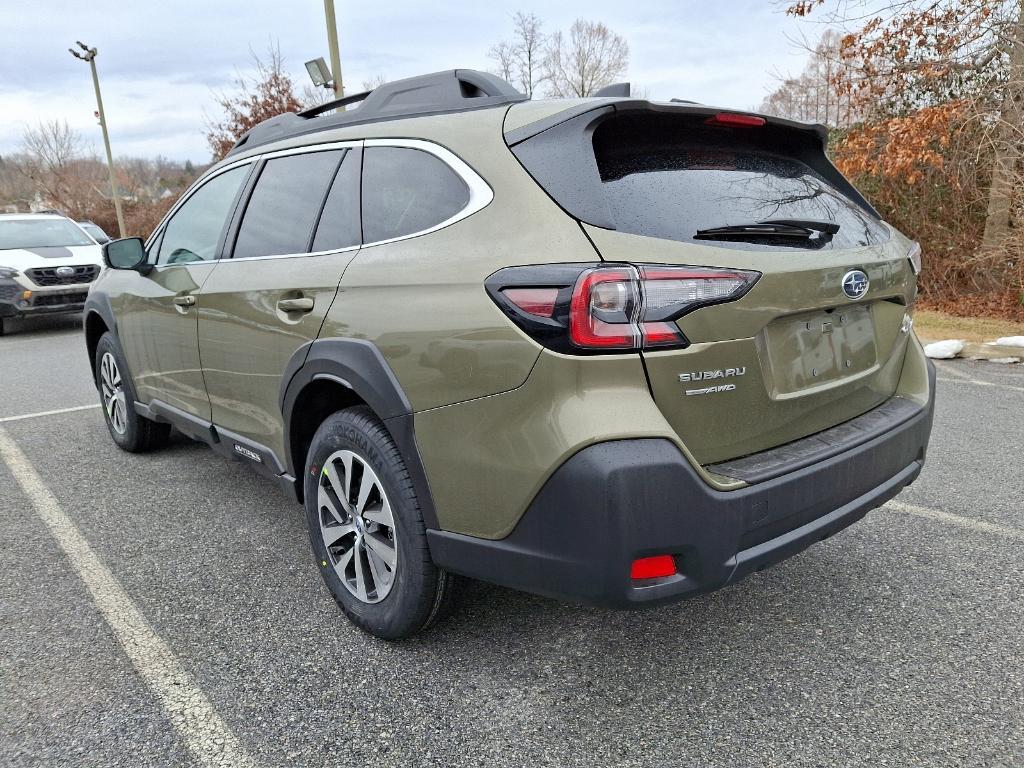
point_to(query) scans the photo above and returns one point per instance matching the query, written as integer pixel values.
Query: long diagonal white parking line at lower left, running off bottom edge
(188, 708)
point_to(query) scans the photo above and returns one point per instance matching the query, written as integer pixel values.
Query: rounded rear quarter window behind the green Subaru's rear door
(407, 191)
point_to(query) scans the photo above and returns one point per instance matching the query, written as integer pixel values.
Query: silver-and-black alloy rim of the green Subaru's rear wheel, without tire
(358, 527)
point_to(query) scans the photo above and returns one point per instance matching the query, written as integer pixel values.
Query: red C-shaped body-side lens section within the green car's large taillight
(604, 310)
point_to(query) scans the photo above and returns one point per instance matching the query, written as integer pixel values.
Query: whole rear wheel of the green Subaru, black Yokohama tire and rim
(367, 531)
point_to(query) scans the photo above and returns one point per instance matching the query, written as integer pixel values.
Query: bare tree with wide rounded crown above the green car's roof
(590, 58)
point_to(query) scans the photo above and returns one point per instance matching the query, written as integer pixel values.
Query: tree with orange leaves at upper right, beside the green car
(931, 67)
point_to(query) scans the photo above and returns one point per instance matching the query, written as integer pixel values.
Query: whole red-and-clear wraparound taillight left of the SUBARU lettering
(586, 309)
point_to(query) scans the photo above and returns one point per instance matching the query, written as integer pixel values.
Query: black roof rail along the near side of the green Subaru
(452, 91)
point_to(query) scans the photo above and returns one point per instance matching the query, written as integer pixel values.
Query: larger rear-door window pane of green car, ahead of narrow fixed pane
(286, 203)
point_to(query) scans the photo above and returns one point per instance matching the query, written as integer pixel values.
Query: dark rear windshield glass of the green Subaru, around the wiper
(667, 178)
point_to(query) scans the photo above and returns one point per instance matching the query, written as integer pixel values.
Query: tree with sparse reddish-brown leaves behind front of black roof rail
(268, 94)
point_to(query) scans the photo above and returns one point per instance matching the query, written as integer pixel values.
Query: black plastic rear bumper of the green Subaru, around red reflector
(615, 502)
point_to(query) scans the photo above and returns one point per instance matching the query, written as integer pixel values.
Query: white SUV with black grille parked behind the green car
(47, 265)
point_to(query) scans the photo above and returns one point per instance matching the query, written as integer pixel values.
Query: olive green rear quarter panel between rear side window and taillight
(422, 301)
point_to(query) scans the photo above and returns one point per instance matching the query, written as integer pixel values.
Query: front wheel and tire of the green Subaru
(131, 432)
